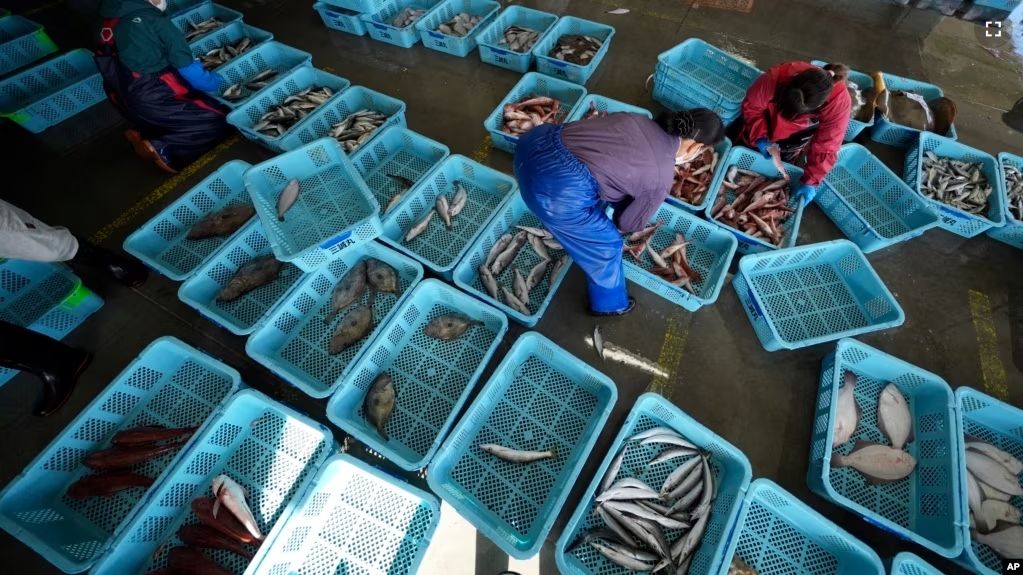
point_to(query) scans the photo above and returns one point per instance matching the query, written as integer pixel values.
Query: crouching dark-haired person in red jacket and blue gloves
(799, 108)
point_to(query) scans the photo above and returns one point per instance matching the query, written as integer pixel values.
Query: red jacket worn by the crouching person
(822, 153)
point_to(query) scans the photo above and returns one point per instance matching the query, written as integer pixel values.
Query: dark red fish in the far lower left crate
(129, 449)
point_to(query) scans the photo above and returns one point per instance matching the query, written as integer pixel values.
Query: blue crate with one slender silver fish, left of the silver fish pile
(540, 397)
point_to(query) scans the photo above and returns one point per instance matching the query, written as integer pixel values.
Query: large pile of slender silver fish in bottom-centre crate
(647, 529)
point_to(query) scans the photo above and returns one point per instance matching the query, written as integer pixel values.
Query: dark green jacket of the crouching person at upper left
(148, 42)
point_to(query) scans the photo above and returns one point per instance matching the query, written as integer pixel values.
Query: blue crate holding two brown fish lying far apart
(433, 378)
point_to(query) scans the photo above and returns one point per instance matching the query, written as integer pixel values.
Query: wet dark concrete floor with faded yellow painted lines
(720, 374)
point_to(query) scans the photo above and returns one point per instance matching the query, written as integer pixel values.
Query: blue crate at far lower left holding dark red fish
(170, 384)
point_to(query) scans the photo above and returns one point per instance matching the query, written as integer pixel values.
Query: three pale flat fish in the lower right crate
(878, 464)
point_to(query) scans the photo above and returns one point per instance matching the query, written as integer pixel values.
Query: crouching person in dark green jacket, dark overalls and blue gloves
(152, 77)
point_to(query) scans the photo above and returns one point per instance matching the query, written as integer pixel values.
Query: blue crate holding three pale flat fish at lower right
(923, 509)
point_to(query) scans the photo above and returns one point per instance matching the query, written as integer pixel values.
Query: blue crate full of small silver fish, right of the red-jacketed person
(956, 222)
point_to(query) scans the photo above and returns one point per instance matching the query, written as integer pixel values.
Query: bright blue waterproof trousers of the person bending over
(562, 193)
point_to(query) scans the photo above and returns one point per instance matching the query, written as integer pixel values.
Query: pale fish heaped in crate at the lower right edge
(993, 480)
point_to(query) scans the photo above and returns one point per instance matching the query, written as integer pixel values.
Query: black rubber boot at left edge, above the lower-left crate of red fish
(58, 366)
